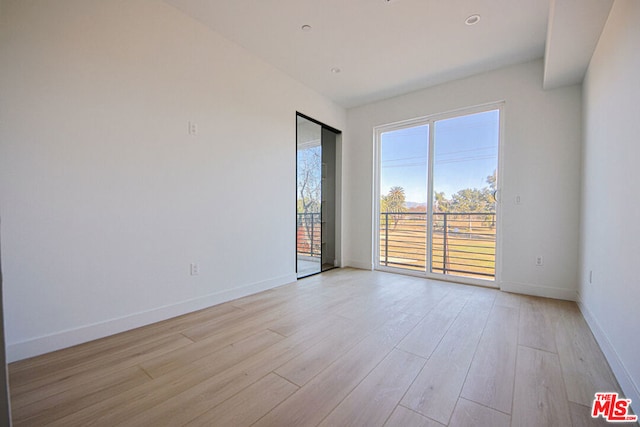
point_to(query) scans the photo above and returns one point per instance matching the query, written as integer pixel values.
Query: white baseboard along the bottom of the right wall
(628, 385)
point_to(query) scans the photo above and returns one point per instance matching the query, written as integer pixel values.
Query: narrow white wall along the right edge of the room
(610, 245)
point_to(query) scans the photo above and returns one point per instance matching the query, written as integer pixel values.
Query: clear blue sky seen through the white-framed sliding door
(465, 153)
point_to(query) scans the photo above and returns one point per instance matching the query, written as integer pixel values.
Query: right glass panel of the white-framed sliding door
(463, 223)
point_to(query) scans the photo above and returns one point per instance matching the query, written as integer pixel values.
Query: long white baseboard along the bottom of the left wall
(82, 334)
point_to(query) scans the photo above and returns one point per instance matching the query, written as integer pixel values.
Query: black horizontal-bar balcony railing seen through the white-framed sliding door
(462, 244)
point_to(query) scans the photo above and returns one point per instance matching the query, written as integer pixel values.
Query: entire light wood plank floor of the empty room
(345, 348)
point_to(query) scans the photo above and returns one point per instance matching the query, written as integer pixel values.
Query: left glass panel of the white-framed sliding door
(402, 228)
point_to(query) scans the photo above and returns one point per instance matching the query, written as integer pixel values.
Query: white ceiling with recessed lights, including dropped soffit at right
(386, 48)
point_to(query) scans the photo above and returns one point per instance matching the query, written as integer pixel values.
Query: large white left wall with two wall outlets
(105, 199)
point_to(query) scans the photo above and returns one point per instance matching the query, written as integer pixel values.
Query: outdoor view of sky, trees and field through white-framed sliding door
(458, 236)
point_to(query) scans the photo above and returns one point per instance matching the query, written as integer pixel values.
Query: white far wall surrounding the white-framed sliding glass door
(541, 163)
